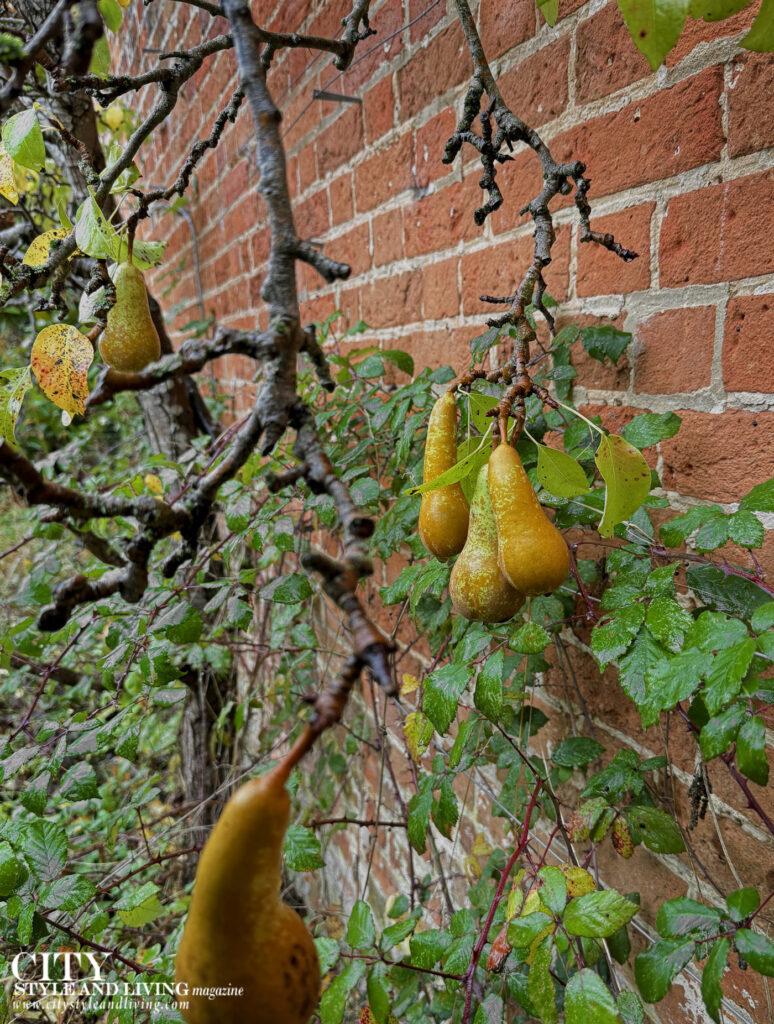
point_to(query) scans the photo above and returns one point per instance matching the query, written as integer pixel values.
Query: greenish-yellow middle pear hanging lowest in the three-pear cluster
(479, 589)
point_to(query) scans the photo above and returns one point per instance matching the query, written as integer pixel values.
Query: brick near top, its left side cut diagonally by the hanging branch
(537, 89)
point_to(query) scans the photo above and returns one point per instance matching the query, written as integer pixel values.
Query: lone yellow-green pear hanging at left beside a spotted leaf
(130, 342)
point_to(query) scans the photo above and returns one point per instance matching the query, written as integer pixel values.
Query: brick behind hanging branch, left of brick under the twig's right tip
(498, 271)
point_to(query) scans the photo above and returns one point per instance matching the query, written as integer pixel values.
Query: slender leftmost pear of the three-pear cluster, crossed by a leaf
(444, 514)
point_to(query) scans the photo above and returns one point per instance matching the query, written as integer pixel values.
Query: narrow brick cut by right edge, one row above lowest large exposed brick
(749, 344)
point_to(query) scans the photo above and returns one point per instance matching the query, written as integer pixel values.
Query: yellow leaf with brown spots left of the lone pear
(61, 359)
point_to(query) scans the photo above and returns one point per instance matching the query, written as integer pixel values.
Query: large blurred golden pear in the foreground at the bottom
(239, 933)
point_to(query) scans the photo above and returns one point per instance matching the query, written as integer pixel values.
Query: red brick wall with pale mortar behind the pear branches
(682, 169)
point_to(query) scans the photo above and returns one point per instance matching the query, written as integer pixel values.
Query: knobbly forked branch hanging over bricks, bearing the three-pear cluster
(500, 127)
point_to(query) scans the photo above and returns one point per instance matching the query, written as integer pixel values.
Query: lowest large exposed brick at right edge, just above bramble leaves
(719, 457)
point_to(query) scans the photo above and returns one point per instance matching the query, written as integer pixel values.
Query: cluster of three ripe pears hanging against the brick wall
(508, 547)
